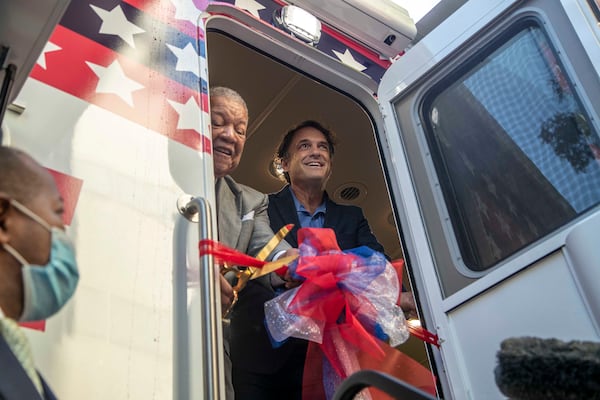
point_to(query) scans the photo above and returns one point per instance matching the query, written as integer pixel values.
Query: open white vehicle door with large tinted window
(491, 126)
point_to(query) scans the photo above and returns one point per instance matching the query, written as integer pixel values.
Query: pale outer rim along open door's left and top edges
(441, 42)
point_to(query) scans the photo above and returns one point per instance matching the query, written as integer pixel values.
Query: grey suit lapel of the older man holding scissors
(229, 214)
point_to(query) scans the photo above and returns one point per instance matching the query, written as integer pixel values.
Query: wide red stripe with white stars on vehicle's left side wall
(67, 71)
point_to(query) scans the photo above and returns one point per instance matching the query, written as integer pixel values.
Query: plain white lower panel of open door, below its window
(542, 301)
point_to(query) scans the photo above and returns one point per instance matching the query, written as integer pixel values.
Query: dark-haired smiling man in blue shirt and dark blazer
(259, 370)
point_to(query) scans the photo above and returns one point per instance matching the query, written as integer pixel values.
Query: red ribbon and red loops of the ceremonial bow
(322, 298)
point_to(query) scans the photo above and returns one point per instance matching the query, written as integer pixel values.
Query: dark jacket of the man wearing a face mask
(14, 382)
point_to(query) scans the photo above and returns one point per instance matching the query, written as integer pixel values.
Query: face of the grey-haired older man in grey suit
(229, 120)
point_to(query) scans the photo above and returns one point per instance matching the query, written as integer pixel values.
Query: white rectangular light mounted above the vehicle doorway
(299, 23)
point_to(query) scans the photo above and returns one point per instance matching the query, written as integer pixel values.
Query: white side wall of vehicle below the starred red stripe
(114, 338)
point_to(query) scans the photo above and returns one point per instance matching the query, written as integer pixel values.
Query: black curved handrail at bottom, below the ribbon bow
(389, 384)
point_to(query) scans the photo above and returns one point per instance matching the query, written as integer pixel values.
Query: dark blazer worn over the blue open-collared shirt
(251, 349)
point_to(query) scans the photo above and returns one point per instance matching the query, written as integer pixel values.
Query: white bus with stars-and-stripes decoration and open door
(470, 139)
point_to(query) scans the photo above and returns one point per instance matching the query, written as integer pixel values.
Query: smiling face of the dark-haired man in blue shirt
(308, 160)
